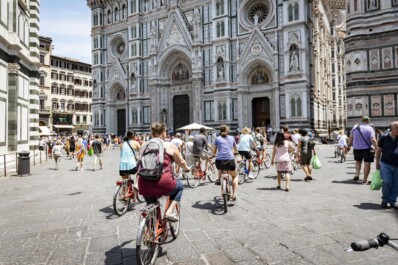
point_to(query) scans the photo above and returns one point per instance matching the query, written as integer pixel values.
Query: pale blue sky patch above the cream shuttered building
(68, 23)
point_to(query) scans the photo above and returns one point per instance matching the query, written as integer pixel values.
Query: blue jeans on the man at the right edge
(389, 175)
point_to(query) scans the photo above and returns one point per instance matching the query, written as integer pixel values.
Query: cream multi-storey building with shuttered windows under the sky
(65, 92)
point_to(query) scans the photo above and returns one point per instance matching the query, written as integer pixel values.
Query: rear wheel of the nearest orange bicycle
(147, 250)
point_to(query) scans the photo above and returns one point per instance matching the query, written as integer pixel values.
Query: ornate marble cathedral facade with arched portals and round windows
(236, 62)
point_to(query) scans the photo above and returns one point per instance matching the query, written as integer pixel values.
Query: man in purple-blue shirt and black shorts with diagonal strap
(361, 139)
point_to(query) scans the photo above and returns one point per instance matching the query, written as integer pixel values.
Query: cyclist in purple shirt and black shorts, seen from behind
(225, 148)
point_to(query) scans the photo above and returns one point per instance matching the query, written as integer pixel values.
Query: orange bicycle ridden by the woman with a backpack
(154, 230)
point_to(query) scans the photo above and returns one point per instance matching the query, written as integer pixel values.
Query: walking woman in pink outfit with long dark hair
(281, 158)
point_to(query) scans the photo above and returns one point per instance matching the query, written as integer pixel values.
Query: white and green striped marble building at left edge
(19, 69)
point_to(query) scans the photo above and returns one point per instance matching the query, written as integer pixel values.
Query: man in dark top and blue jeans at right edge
(387, 162)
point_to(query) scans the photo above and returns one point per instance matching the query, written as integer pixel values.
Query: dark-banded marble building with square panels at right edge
(372, 61)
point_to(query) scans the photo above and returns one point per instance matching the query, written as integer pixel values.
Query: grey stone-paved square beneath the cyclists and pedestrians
(66, 217)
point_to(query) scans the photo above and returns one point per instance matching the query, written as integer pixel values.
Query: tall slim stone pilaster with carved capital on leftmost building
(13, 69)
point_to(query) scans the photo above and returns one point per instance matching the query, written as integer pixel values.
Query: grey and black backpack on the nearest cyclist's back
(150, 166)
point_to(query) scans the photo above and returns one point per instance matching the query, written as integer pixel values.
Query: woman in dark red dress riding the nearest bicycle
(167, 185)
